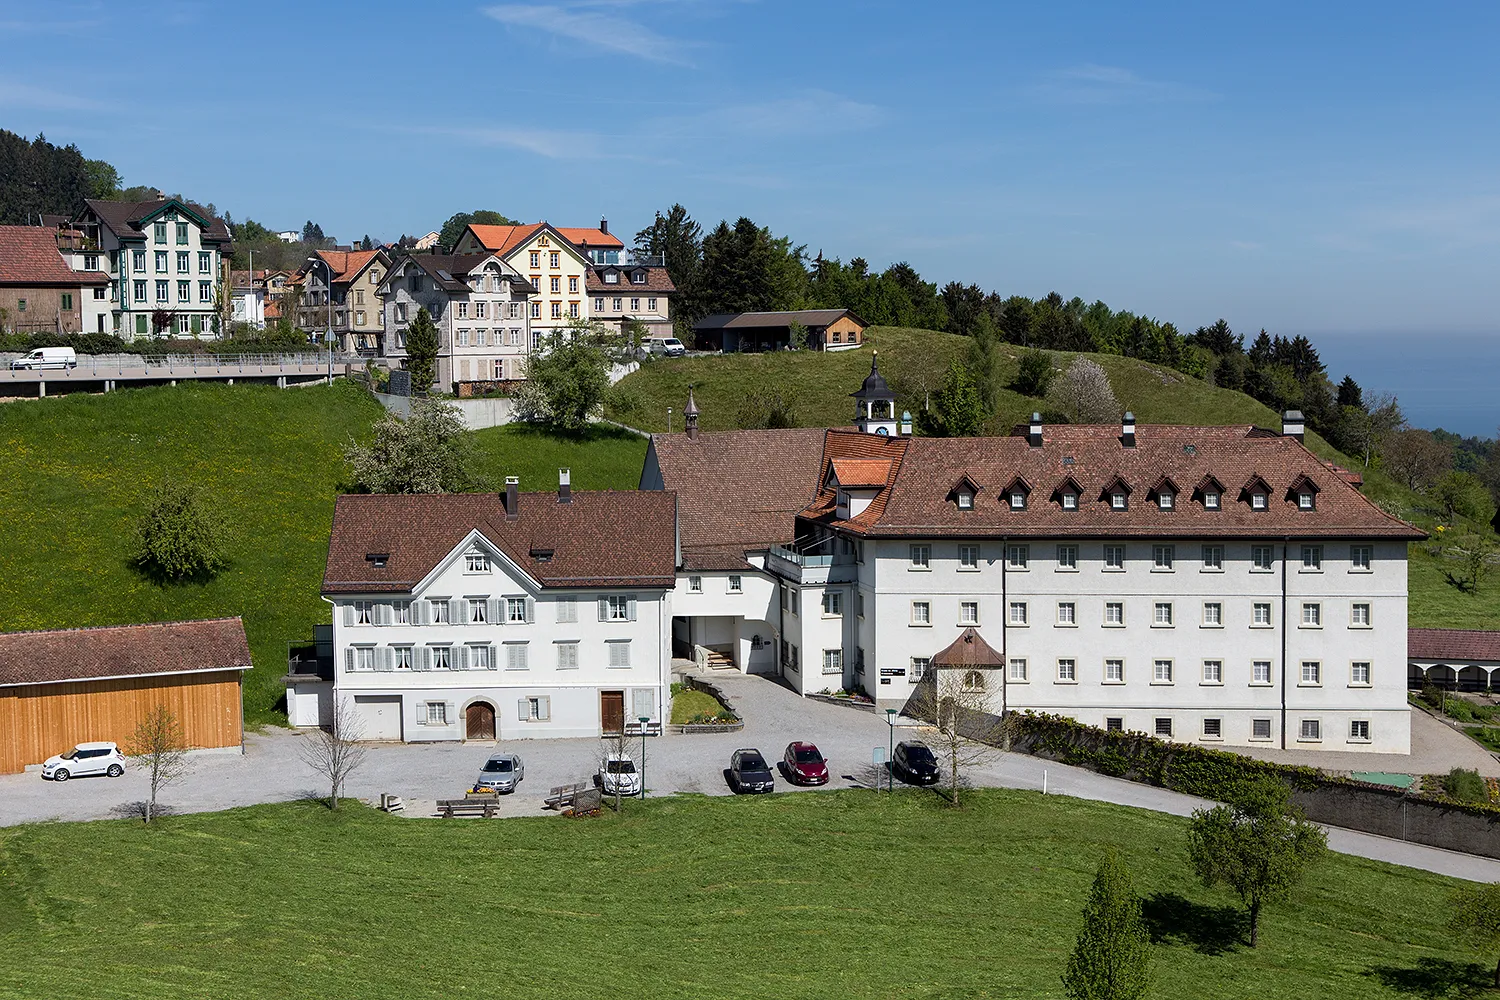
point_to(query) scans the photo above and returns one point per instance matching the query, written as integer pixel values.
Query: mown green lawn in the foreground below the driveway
(793, 896)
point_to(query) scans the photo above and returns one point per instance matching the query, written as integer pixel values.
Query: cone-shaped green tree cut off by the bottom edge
(1112, 959)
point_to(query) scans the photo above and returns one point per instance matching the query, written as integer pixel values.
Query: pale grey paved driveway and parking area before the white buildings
(272, 771)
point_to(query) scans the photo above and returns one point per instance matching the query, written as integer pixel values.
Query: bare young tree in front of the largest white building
(958, 702)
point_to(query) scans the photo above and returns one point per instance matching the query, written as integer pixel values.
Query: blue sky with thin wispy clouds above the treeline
(1298, 167)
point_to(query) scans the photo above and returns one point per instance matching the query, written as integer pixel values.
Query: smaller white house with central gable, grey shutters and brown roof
(499, 617)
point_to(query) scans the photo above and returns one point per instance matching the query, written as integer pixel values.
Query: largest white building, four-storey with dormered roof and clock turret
(1198, 584)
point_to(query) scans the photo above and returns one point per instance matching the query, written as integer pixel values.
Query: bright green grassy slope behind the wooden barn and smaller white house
(76, 473)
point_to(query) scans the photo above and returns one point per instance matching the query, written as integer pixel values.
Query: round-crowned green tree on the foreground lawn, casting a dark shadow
(1258, 845)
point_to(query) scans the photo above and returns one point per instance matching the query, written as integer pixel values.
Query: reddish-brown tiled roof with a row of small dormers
(919, 501)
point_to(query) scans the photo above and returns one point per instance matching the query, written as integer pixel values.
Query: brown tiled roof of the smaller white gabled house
(602, 539)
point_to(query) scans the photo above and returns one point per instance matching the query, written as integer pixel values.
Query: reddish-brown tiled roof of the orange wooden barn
(119, 651)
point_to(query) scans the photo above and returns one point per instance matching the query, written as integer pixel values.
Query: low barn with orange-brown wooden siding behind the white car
(59, 689)
